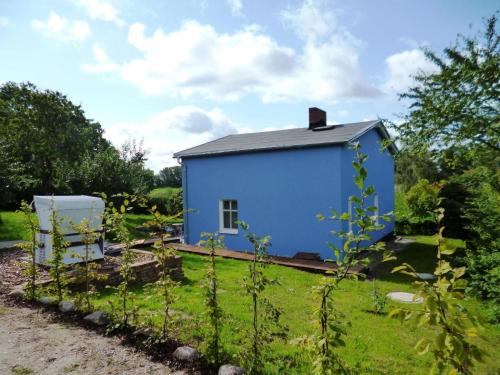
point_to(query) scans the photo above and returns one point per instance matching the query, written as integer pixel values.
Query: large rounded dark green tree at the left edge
(47, 133)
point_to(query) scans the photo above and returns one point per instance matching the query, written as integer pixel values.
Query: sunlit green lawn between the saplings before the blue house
(375, 344)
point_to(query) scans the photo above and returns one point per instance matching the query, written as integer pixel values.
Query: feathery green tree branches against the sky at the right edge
(459, 104)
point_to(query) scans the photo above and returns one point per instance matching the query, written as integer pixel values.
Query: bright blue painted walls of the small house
(280, 192)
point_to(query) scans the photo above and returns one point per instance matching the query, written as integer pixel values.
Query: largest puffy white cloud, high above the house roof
(196, 60)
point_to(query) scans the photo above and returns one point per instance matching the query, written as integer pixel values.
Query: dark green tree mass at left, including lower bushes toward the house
(48, 146)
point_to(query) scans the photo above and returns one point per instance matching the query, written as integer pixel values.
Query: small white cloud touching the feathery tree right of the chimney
(403, 66)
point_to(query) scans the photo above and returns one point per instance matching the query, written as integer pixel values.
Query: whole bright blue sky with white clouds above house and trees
(179, 73)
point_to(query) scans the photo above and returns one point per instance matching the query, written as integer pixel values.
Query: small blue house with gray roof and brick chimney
(278, 181)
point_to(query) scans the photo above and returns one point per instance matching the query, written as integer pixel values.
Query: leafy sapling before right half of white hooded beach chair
(87, 273)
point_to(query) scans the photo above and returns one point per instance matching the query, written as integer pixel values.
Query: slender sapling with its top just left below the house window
(214, 313)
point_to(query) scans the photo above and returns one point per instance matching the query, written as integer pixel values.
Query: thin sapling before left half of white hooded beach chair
(58, 269)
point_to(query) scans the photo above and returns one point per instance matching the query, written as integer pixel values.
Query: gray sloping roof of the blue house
(283, 139)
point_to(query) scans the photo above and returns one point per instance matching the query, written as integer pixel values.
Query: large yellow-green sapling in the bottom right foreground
(452, 348)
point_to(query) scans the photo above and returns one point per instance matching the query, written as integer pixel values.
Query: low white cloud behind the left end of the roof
(173, 130)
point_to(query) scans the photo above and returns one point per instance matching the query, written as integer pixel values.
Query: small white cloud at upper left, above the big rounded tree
(62, 28)
